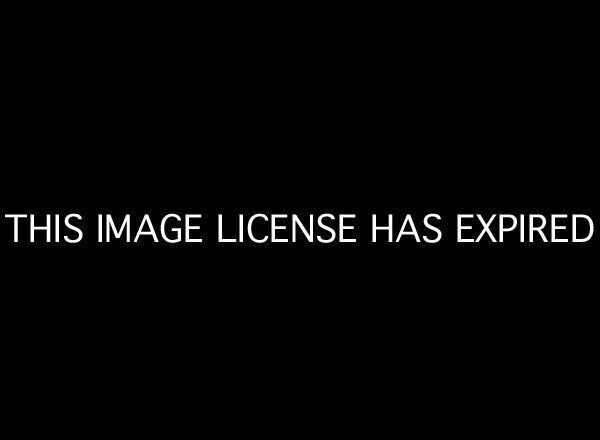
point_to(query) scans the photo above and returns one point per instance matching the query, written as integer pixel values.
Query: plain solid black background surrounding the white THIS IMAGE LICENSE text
(381, 113)
